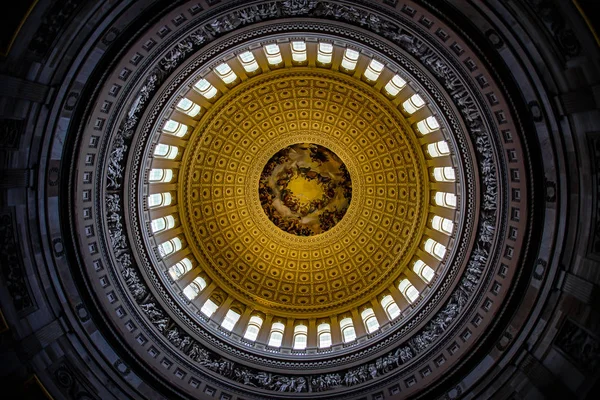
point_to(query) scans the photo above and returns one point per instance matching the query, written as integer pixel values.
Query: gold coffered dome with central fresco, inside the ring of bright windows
(231, 231)
